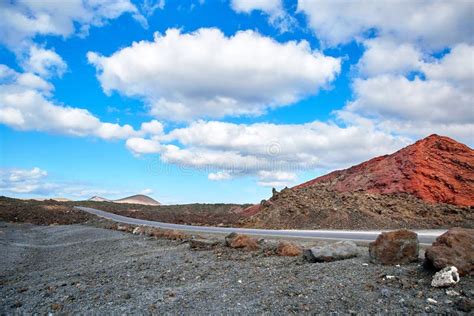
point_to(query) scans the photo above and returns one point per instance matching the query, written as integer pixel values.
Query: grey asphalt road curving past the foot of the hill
(425, 237)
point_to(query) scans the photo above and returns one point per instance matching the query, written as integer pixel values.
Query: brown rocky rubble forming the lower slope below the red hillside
(319, 206)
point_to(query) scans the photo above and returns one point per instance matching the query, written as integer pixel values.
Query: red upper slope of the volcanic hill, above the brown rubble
(436, 169)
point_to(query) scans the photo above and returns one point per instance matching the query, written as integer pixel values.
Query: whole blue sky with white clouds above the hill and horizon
(219, 101)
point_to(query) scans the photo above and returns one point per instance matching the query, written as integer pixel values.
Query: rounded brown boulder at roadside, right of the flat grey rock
(396, 247)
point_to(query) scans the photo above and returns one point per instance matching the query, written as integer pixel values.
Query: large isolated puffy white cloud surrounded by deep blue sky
(207, 74)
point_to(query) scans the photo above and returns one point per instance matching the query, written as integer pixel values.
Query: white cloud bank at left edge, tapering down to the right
(25, 104)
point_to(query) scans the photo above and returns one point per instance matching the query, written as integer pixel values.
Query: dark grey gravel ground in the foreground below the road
(81, 268)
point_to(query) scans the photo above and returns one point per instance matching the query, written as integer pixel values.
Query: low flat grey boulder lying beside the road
(336, 251)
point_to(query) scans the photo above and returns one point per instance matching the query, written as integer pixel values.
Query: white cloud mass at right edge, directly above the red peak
(438, 100)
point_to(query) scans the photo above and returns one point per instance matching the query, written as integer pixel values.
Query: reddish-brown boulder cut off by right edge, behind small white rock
(453, 248)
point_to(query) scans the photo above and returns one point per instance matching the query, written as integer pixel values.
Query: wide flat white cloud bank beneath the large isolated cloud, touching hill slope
(273, 153)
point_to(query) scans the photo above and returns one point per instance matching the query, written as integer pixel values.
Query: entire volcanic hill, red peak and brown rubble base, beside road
(425, 185)
